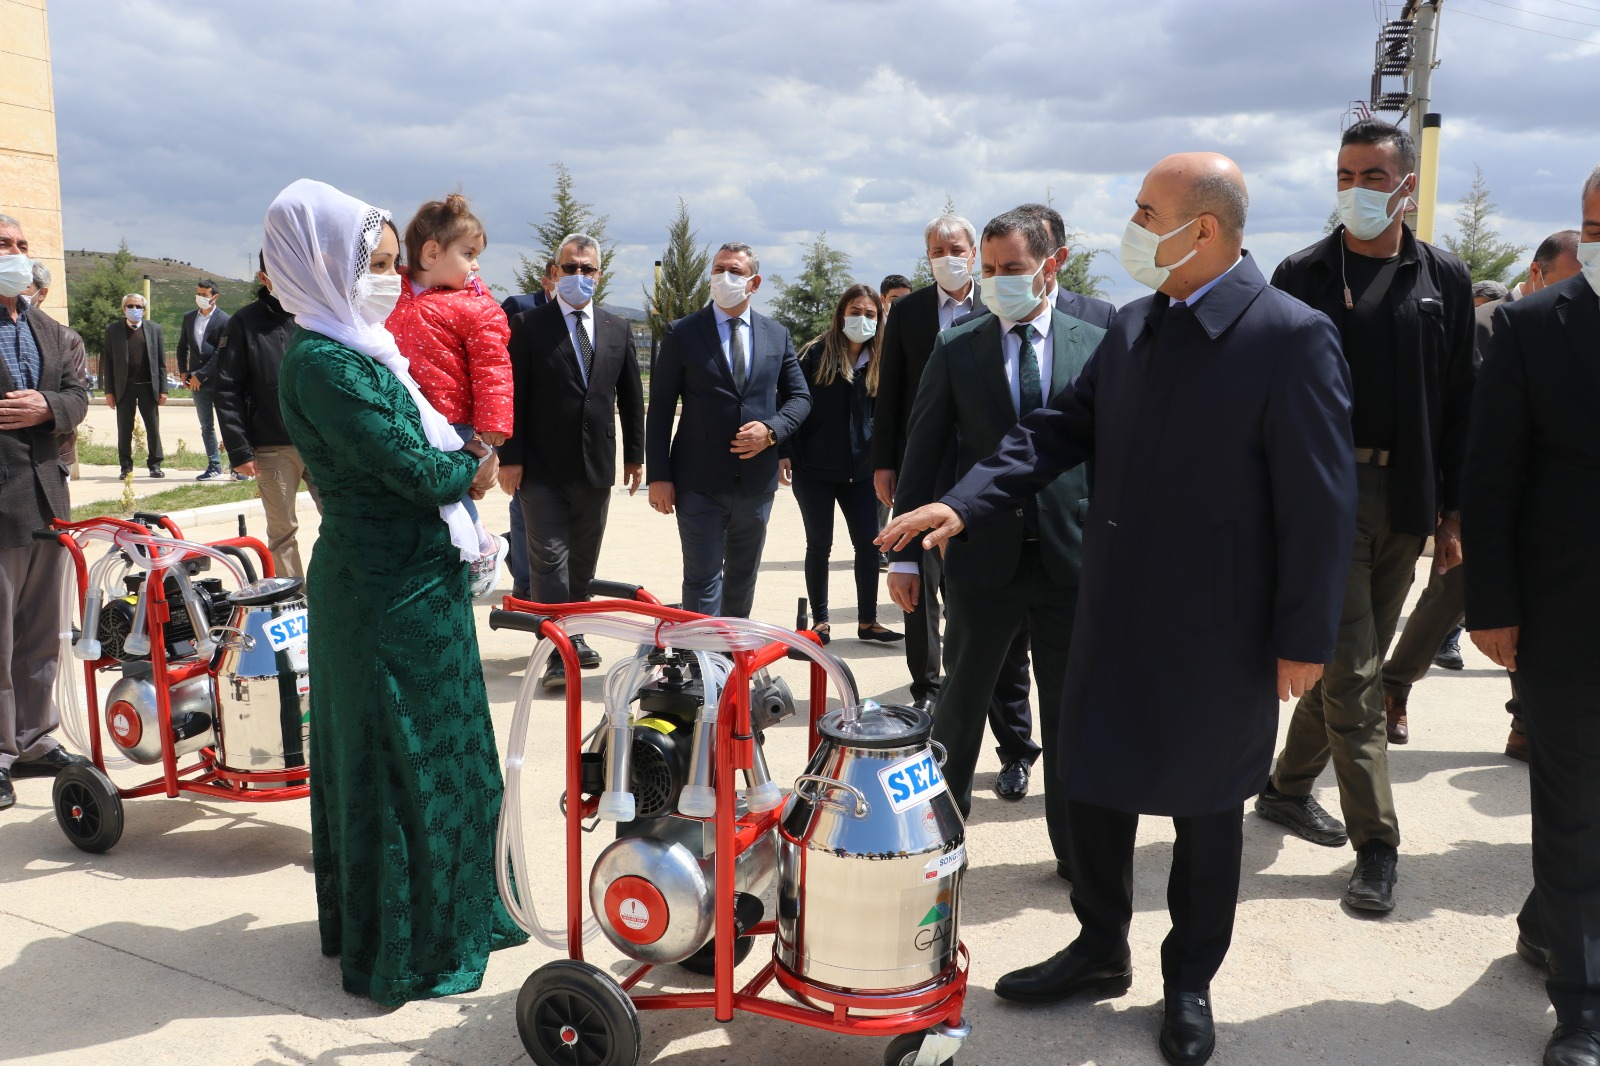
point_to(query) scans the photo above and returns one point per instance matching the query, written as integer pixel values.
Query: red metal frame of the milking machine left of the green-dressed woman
(204, 777)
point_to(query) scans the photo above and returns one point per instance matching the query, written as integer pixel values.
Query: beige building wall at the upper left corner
(30, 174)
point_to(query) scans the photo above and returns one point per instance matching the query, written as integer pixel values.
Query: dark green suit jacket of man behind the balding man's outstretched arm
(966, 399)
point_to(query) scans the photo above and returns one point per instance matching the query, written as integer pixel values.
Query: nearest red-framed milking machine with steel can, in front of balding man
(868, 849)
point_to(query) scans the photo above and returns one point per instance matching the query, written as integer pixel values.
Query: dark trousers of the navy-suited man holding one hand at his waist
(722, 537)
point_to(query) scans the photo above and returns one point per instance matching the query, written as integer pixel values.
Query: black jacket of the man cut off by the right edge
(1532, 499)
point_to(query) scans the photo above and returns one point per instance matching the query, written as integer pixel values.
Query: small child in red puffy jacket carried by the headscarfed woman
(455, 337)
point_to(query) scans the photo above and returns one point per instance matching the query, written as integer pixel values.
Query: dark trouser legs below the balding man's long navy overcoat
(1202, 891)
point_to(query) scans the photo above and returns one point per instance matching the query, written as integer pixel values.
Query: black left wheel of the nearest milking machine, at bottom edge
(570, 1014)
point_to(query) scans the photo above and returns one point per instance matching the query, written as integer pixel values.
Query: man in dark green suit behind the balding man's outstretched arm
(1023, 571)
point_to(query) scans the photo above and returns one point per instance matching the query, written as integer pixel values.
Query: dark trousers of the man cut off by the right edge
(1562, 719)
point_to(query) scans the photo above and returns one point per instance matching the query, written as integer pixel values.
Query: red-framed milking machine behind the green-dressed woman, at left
(206, 670)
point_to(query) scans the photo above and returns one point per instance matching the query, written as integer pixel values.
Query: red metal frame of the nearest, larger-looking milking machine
(916, 1011)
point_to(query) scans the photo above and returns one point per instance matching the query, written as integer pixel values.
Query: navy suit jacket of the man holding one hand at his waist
(690, 367)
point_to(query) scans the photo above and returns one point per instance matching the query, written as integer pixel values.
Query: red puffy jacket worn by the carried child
(455, 340)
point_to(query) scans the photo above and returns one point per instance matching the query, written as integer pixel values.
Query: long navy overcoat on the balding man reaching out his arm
(1225, 505)
